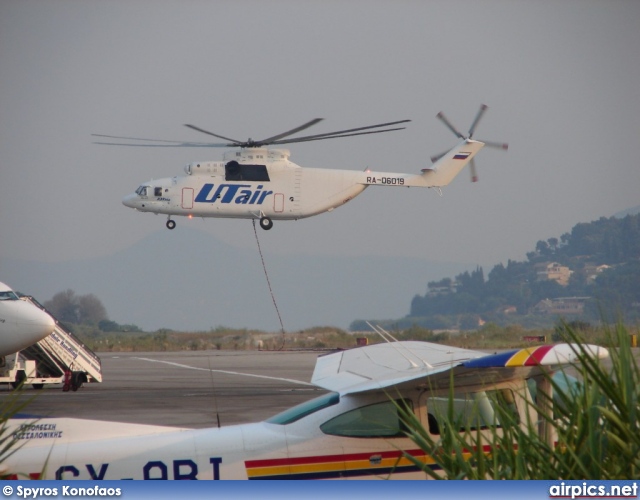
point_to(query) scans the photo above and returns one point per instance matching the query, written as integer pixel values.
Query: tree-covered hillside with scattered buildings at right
(591, 271)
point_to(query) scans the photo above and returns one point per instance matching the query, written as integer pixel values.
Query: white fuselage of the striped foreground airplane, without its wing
(325, 444)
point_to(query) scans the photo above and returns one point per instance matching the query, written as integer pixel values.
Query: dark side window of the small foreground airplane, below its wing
(377, 420)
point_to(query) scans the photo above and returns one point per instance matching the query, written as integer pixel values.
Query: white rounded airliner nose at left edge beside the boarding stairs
(21, 323)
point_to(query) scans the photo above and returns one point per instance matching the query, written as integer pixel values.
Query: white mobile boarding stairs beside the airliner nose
(60, 358)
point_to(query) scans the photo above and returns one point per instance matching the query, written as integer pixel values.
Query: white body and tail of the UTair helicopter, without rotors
(261, 183)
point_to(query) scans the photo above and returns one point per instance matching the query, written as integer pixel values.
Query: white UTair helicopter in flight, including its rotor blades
(256, 182)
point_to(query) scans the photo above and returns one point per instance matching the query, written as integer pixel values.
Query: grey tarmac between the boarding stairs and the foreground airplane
(193, 389)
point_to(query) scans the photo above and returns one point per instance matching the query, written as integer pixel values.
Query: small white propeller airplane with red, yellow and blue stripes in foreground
(352, 432)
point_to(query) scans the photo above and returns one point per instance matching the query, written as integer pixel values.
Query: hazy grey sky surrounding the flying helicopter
(561, 79)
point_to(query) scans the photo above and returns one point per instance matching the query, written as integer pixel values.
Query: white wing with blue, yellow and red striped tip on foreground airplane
(397, 364)
